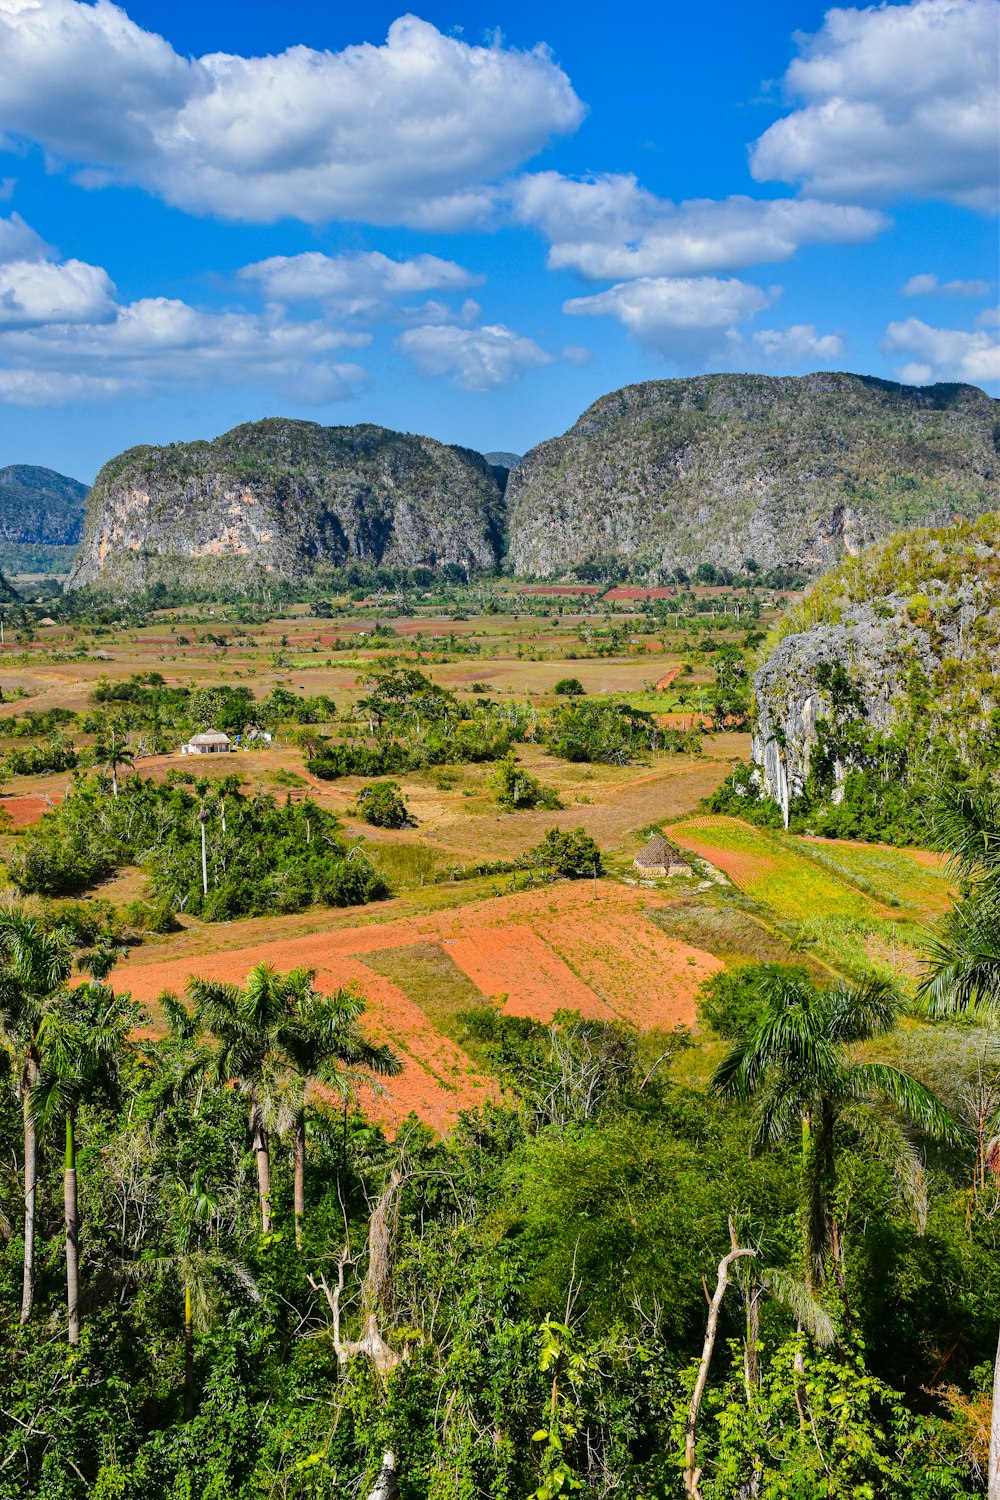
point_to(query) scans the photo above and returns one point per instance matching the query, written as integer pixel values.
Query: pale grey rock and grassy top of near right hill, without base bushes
(906, 635)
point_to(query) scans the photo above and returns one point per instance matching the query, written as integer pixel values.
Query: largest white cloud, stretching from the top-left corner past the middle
(409, 133)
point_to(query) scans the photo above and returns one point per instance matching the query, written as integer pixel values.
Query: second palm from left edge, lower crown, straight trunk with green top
(82, 1037)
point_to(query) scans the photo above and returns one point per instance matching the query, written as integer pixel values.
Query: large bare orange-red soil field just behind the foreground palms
(584, 946)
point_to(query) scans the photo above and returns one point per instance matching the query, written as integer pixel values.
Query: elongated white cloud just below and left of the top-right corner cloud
(612, 229)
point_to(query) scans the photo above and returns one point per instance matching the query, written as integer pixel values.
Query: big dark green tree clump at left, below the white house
(209, 850)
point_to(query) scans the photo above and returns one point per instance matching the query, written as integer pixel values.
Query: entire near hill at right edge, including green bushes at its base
(885, 679)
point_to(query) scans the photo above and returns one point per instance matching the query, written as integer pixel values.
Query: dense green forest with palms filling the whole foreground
(605, 1283)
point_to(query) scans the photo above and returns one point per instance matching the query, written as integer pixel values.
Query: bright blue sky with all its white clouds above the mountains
(475, 220)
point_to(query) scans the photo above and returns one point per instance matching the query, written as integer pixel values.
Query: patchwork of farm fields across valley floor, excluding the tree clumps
(454, 937)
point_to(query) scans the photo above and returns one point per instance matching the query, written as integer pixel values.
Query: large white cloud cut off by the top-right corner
(897, 101)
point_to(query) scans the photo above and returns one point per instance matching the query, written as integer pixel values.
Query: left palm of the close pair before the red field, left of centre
(244, 1024)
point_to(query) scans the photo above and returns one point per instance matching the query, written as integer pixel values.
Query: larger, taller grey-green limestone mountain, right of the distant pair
(723, 469)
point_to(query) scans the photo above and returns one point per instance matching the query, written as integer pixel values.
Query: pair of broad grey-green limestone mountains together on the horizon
(732, 470)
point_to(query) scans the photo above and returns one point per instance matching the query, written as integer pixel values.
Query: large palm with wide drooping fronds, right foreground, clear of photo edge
(795, 1063)
